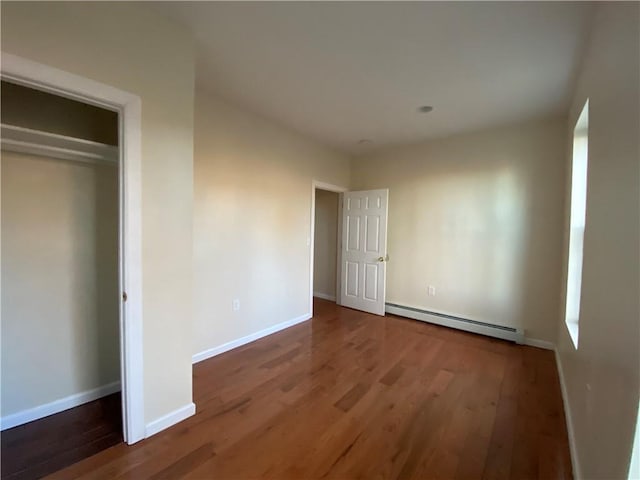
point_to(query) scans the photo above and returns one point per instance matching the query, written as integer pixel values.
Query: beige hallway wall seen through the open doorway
(325, 243)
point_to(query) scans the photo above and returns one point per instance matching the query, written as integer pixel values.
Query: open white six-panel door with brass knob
(364, 250)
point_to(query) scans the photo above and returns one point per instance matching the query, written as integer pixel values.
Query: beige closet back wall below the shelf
(60, 278)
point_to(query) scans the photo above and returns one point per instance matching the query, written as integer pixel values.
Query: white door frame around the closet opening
(129, 108)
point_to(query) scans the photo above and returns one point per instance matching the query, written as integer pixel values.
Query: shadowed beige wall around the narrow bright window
(602, 376)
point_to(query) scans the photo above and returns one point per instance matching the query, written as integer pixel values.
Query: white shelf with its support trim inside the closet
(37, 142)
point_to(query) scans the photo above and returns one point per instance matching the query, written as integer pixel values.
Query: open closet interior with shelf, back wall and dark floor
(60, 241)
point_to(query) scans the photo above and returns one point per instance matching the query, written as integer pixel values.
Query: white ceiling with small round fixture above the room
(340, 72)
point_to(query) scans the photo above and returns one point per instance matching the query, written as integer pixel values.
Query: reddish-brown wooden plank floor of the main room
(351, 395)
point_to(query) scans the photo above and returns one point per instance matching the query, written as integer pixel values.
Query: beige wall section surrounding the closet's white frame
(131, 48)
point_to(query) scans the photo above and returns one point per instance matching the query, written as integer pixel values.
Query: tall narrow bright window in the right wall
(577, 221)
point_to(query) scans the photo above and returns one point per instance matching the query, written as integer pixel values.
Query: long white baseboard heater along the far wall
(498, 331)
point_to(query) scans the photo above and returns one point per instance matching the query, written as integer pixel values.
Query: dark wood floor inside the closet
(44, 446)
